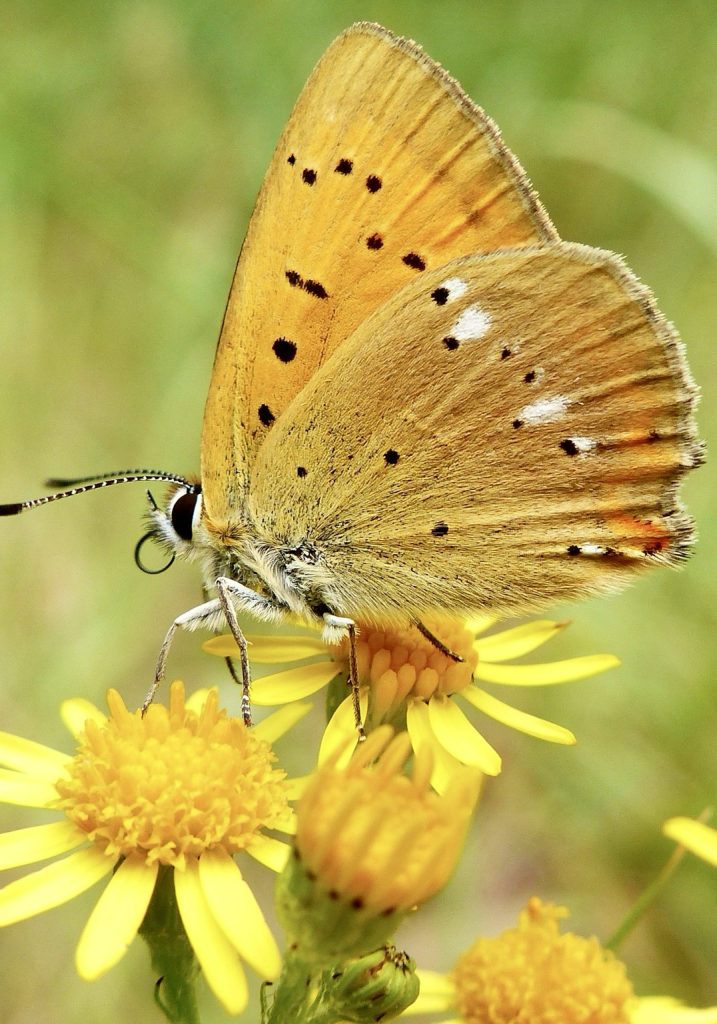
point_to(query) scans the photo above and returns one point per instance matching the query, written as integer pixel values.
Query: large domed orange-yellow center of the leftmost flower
(174, 783)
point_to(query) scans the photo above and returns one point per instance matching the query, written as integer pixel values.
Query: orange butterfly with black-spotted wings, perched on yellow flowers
(424, 402)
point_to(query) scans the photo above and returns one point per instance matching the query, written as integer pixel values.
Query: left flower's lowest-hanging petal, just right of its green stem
(217, 956)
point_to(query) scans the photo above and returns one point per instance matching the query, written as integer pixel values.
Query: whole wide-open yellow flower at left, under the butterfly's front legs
(185, 787)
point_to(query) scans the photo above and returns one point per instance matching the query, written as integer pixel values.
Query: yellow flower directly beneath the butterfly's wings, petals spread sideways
(408, 682)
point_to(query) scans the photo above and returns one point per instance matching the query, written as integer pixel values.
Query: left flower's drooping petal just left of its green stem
(117, 916)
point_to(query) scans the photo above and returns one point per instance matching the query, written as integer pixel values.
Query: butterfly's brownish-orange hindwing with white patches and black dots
(508, 433)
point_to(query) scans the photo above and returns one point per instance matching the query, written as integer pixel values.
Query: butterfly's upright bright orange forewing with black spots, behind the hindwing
(386, 170)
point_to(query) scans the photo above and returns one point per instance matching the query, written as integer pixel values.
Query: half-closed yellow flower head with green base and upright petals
(371, 844)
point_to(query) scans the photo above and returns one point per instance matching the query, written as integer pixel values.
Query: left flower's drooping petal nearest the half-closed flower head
(235, 907)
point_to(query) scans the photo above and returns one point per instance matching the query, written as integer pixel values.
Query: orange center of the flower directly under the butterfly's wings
(402, 664)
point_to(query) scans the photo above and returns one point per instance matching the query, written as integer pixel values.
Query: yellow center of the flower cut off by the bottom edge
(534, 975)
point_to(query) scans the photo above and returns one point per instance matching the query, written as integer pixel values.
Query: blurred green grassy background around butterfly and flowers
(134, 139)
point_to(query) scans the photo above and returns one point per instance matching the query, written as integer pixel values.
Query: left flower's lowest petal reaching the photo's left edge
(53, 885)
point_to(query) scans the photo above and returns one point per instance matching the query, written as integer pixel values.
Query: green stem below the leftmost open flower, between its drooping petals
(173, 957)
